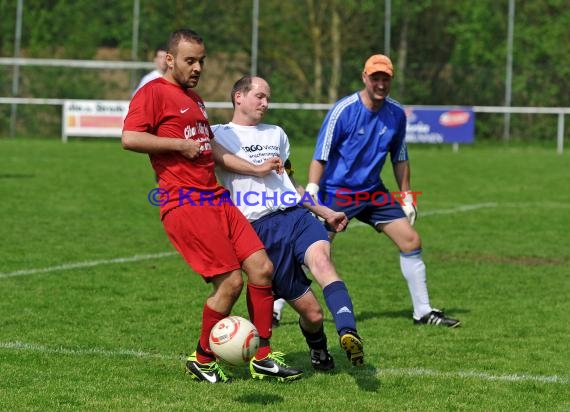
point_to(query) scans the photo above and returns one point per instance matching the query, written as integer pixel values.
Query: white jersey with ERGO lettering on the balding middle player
(256, 196)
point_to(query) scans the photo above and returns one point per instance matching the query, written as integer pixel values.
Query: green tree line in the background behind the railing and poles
(445, 52)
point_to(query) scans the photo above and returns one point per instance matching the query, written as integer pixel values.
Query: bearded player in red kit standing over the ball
(167, 120)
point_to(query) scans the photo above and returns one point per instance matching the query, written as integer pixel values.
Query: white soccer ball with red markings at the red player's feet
(234, 340)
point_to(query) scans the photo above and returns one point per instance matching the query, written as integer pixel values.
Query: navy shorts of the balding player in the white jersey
(287, 235)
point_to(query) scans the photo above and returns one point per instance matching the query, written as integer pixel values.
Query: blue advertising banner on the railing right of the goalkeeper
(440, 125)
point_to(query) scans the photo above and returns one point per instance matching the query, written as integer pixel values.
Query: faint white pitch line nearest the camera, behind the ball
(555, 379)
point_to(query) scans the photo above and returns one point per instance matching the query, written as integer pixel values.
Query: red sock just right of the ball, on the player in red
(260, 308)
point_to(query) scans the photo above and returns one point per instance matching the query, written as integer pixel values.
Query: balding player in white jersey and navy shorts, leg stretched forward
(292, 236)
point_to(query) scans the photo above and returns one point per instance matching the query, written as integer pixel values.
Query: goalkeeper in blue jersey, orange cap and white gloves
(354, 141)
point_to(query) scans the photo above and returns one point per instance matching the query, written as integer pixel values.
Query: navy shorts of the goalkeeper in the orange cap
(373, 207)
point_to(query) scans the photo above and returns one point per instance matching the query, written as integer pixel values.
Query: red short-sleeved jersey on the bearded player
(167, 110)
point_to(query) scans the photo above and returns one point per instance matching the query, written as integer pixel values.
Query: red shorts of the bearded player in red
(212, 239)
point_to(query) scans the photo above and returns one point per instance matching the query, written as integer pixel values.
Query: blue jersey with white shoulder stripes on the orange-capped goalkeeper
(355, 141)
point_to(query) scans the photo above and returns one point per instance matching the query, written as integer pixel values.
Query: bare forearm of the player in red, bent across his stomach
(144, 142)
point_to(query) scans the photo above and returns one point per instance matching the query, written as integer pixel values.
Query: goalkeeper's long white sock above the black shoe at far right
(414, 271)
